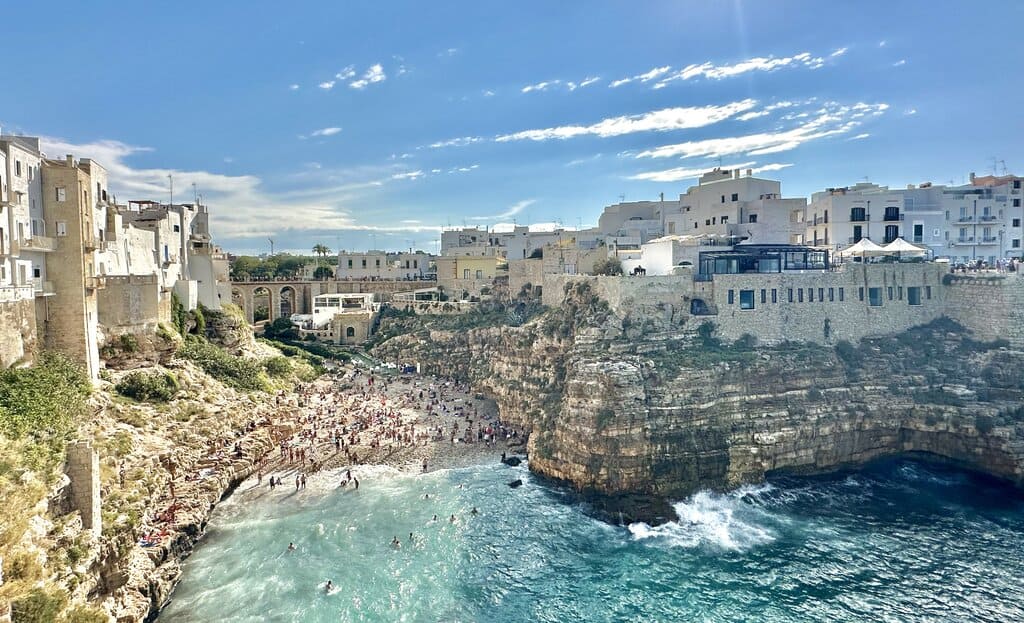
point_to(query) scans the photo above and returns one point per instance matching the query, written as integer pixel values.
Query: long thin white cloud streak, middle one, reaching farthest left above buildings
(656, 121)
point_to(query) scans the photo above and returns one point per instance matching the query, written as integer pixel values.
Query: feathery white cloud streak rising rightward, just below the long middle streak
(833, 120)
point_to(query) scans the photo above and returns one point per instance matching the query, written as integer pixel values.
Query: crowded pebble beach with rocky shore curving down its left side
(446, 428)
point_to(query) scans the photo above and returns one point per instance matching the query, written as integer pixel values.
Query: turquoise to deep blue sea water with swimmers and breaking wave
(901, 542)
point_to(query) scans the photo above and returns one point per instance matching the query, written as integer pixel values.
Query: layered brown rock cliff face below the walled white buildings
(625, 406)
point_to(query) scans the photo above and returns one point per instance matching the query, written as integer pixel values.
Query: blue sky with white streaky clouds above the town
(374, 124)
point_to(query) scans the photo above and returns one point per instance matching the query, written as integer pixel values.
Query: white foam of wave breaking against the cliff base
(713, 521)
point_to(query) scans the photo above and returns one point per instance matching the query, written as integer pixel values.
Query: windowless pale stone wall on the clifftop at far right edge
(993, 307)
